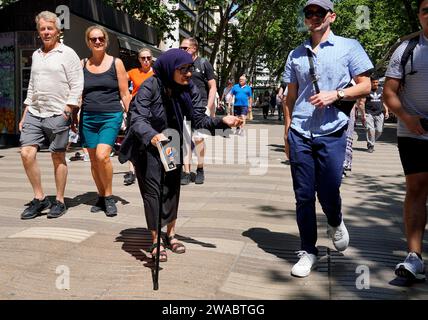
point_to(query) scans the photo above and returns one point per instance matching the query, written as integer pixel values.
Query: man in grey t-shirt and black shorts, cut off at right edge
(408, 100)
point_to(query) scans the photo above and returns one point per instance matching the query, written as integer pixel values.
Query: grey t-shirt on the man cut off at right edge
(414, 95)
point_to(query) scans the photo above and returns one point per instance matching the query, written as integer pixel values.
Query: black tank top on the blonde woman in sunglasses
(101, 90)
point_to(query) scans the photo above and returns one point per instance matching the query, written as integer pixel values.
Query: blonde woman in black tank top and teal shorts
(105, 98)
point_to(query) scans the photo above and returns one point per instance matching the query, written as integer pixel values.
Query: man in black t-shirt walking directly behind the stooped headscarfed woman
(203, 77)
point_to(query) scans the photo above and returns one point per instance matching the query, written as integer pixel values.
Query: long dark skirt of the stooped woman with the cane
(148, 169)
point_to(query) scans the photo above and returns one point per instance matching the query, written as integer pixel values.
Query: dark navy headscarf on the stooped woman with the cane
(164, 69)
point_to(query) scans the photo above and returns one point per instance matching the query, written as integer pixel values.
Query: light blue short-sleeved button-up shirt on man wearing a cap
(336, 62)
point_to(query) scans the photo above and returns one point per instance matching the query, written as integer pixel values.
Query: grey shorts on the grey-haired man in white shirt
(51, 131)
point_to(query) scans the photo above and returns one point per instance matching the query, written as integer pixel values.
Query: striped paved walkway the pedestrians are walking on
(239, 228)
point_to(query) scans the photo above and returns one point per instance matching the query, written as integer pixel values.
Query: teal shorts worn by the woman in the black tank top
(99, 128)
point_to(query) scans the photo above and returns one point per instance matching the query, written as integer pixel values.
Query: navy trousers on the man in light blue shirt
(316, 168)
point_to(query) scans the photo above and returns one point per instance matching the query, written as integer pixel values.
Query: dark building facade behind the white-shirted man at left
(19, 39)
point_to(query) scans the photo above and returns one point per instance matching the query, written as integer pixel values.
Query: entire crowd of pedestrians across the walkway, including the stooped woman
(178, 92)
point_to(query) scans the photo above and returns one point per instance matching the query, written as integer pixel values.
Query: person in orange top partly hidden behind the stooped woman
(137, 76)
